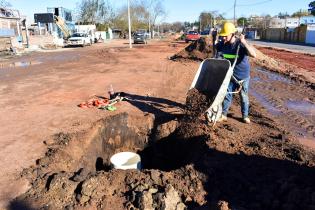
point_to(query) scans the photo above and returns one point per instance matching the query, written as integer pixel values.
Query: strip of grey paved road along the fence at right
(293, 47)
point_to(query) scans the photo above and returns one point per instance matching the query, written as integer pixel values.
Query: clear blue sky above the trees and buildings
(181, 10)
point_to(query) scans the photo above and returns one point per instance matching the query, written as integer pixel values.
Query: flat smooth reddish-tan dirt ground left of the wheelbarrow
(41, 99)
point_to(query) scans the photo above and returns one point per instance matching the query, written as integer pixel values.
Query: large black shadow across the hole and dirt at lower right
(245, 182)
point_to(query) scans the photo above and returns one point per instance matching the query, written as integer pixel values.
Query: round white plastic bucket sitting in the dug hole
(126, 160)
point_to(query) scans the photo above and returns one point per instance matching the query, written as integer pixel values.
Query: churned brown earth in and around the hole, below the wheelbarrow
(189, 165)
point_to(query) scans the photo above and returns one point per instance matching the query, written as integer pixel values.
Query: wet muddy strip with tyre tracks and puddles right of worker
(291, 103)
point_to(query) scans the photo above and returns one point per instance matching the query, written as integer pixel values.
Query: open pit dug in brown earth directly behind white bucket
(91, 151)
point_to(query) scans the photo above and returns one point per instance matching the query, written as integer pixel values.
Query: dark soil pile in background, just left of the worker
(197, 50)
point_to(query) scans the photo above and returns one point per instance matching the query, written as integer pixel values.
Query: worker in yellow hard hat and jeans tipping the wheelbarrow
(227, 47)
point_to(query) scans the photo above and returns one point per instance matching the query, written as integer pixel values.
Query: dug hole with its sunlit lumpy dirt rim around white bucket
(75, 165)
